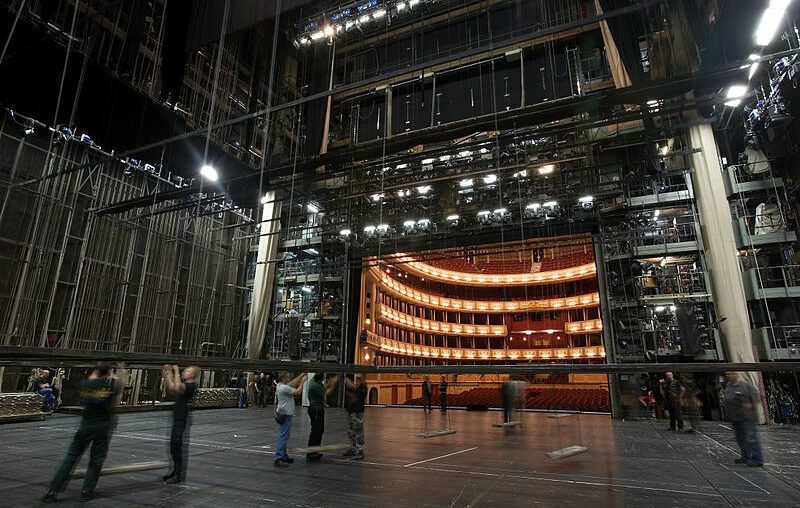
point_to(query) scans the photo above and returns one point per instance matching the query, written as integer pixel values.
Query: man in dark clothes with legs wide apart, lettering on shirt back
(98, 396)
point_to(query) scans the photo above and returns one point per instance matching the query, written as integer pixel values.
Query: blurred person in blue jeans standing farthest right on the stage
(741, 400)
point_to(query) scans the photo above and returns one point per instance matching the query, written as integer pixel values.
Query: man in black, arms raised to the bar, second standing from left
(184, 386)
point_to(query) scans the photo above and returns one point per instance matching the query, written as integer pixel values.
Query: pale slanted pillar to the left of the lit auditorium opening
(264, 282)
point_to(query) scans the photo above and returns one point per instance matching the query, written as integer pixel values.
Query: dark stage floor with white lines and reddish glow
(630, 463)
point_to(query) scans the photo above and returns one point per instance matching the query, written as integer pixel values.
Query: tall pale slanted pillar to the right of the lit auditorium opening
(719, 245)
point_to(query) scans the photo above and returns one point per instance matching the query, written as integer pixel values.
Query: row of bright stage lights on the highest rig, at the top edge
(355, 15)
